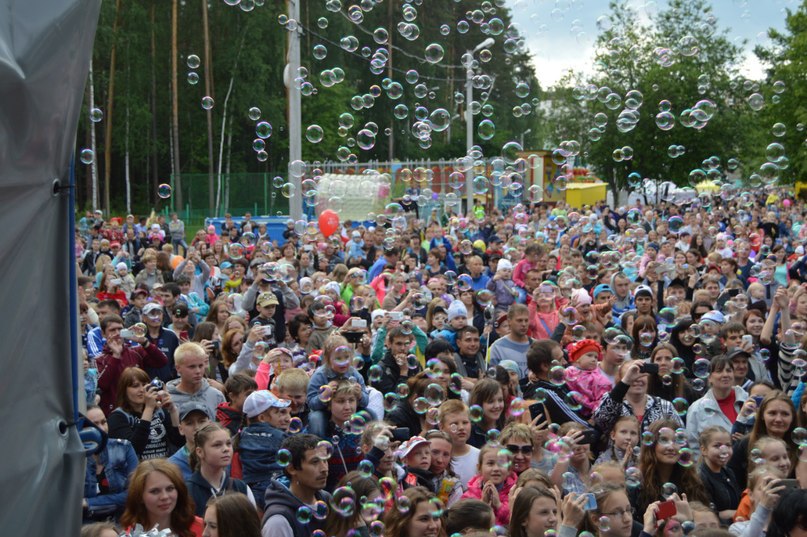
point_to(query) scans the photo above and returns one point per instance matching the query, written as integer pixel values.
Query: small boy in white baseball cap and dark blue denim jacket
(260, 441)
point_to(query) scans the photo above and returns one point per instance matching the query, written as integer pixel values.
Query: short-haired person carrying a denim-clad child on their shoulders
(347, 452)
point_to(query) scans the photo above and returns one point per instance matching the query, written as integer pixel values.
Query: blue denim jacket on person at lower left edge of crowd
(119, 460)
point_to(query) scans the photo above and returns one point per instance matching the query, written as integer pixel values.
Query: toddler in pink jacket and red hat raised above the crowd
(584, 375)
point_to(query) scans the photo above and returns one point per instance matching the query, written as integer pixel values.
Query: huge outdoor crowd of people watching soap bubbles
(538, 371)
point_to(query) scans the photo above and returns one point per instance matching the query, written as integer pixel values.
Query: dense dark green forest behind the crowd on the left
(249, 49)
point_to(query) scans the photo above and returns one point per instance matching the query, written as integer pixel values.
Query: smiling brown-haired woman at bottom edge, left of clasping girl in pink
(423, 518)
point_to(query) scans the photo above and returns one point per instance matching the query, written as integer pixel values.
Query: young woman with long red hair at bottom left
(158, 497)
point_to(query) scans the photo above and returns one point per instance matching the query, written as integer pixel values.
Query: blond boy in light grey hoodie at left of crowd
(191, 362)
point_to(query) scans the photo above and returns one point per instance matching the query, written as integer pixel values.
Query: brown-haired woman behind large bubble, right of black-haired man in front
(367, 495)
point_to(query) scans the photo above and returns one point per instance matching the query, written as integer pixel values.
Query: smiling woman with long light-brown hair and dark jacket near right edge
(776, 417)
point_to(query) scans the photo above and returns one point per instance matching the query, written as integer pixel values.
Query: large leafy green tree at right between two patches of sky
(682, 62)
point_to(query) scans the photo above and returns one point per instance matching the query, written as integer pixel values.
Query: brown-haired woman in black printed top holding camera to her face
(145, 416)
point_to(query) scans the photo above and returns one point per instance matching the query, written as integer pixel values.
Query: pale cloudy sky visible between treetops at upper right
(560, 33)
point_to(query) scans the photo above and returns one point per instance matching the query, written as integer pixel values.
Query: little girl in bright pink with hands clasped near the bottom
(493, 482)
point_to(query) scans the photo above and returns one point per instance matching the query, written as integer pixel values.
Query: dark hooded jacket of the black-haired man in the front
(280, 516)
